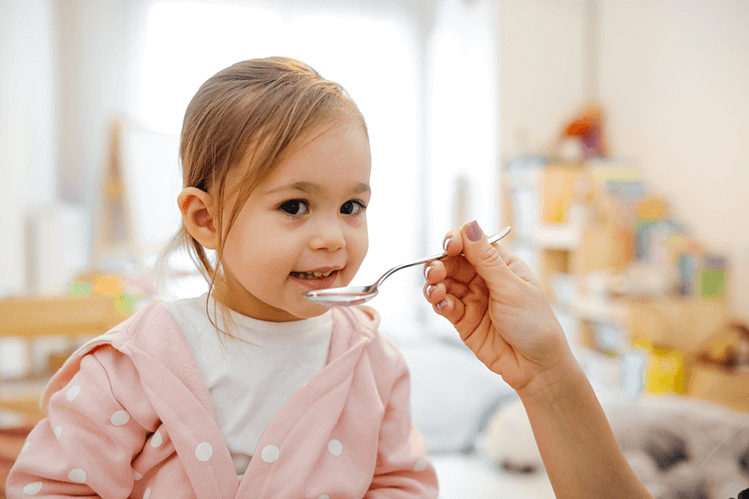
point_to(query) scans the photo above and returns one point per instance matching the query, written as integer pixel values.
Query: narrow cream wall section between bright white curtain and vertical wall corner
(542, 71)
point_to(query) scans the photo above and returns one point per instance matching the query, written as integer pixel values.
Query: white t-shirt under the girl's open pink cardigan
(250, 380)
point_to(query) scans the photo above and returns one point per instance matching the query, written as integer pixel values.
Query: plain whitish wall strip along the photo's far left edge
(28, 138)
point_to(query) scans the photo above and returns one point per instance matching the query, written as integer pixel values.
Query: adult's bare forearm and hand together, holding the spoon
(500, 310)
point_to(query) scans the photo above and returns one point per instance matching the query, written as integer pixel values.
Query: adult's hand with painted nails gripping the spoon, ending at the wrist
(497, 306)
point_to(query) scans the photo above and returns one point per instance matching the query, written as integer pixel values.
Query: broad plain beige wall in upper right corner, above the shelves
(674, 80)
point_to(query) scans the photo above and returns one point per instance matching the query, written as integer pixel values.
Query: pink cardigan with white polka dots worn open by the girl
(128, 416)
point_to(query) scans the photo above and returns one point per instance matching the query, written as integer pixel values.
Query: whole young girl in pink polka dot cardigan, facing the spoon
(250, 391)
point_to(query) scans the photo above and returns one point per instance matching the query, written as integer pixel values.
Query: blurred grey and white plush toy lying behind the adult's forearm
(680, 448)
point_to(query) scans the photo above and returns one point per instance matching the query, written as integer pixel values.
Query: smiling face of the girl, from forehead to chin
(302, 228)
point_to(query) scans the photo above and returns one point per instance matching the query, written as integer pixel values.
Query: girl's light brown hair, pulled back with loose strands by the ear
(250, 115)
